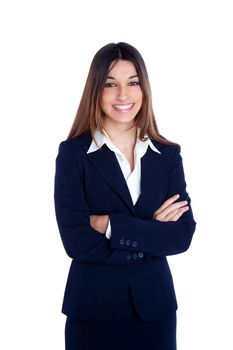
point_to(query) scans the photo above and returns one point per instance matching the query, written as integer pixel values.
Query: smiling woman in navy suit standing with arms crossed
(121, 207)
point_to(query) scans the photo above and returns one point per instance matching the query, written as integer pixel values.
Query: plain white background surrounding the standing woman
(46, 50)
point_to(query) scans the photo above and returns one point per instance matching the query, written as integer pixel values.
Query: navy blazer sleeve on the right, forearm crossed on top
(154, 237)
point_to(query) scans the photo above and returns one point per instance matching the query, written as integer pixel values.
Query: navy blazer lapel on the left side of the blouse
(107, 164)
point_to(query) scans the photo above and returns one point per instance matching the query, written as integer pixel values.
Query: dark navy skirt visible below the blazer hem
(121, 335)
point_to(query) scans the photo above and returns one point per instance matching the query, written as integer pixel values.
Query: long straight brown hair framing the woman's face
(89, 116)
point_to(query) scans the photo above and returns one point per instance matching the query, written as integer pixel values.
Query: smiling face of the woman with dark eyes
(121, 99)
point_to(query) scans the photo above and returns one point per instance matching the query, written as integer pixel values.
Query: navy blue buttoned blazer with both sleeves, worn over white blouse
(113, 279)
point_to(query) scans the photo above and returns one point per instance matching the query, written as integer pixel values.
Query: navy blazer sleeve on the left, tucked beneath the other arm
(79, 239)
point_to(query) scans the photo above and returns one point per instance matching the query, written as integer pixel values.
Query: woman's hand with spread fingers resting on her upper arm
(170, 211)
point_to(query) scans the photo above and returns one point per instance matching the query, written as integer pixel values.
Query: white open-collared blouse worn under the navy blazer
(133, 179)
